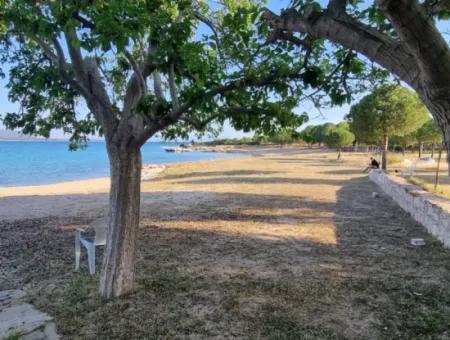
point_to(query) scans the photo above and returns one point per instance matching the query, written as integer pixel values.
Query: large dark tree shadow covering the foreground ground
(206, 282)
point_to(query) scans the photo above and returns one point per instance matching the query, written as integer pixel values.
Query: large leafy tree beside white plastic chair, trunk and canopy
(130, 69)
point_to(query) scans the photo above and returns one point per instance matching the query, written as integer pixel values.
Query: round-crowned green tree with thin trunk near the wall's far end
(390, 110)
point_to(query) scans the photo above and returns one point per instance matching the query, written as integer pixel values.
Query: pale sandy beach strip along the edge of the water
(74, 198)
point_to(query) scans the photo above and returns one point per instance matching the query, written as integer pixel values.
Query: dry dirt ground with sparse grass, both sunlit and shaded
(278, 246)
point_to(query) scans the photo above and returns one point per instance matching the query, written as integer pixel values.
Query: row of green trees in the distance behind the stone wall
(391, 116)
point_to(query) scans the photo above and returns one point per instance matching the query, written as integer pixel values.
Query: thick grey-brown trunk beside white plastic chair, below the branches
(118, 269)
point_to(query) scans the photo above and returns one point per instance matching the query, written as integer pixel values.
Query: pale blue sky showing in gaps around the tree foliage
(335, 114)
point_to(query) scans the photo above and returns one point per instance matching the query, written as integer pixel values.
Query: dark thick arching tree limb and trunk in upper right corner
(399, 35)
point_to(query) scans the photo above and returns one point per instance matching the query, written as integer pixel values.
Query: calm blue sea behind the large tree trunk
(31, 162)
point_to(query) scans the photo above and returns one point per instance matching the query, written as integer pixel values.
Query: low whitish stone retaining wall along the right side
(429, 210)
